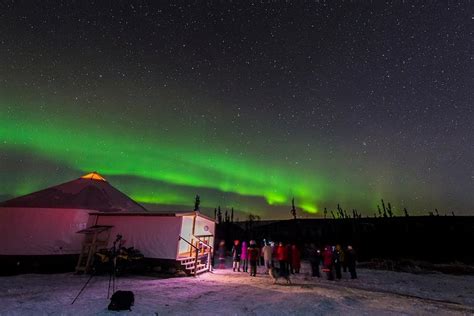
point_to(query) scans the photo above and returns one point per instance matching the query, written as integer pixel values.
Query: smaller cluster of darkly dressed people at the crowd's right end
(334, 260)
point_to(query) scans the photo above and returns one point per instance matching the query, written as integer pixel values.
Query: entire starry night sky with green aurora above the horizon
(247, 104)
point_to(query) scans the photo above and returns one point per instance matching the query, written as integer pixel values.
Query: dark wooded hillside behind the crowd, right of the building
(437, 239)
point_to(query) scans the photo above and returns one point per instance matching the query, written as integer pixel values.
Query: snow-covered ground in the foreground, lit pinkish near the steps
(225, 292)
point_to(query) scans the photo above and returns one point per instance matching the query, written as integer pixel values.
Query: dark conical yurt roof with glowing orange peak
(91, 191)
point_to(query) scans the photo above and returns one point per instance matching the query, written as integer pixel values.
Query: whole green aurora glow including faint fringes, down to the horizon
(159, 162)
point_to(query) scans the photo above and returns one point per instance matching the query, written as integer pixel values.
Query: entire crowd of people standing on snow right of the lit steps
(332, 260)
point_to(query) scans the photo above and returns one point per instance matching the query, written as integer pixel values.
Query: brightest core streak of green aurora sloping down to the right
(111, 151)
